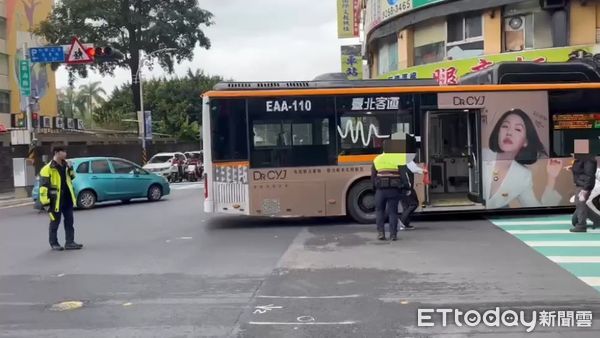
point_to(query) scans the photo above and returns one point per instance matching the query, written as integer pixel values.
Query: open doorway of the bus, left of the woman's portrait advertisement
(452, 151)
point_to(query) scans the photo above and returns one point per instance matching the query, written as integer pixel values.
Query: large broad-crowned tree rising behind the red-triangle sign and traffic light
(130, 26)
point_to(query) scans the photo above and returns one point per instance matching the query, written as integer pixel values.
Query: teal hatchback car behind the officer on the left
(101, 179)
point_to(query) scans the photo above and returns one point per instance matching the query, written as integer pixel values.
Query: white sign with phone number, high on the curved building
(378, 11)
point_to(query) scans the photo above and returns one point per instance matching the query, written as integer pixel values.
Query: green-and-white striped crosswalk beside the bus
(578, 253)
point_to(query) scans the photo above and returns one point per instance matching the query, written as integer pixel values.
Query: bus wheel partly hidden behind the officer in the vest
(361, 202)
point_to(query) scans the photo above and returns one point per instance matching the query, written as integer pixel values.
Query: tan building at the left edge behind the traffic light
(17, 19)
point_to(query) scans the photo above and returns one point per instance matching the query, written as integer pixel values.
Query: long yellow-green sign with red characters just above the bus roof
(450, 72)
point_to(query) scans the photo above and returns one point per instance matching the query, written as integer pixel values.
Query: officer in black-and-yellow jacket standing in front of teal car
(56, 194)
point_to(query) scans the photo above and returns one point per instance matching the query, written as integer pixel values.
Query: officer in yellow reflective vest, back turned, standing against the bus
(390, 179)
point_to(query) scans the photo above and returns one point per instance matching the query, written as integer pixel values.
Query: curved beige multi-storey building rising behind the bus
(446, 39)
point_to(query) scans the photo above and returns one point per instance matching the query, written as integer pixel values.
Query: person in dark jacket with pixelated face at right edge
(584, 176)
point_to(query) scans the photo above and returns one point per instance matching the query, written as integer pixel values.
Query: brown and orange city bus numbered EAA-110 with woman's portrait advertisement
(305, 149)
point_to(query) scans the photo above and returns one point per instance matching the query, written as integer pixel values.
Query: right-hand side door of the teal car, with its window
(130, 180)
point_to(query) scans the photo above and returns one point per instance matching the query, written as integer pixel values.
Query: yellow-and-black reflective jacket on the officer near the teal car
(51, 184)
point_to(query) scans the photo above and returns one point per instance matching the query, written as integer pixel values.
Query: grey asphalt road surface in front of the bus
(165, 269)
